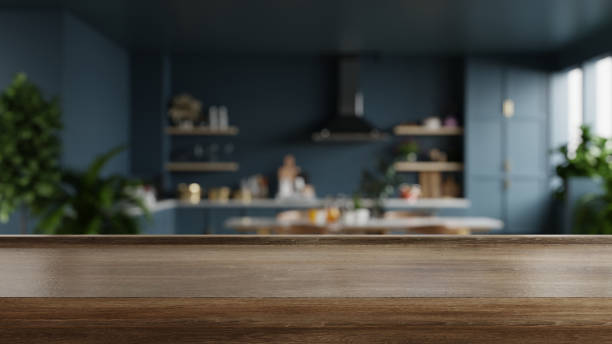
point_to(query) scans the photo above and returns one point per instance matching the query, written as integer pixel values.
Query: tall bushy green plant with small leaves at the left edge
(29, 149)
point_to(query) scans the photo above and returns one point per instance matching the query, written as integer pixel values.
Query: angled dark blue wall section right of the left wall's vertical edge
(95, 96)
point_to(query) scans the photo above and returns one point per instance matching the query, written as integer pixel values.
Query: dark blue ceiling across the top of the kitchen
(333, 26)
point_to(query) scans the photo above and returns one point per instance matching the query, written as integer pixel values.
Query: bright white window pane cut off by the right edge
(603, 105)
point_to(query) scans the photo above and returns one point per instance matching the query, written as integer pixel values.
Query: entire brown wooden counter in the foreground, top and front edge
(286, 289)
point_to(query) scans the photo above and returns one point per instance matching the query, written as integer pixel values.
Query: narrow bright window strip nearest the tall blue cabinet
(574, 108)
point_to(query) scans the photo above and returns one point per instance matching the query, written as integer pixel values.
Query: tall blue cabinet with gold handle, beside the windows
(506, 111)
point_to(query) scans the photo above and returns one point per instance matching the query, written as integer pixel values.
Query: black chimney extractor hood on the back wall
(349, 124)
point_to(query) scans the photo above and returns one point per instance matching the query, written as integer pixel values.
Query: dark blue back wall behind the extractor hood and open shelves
(277, 102)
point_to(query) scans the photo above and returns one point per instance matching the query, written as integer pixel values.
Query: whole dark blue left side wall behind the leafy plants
(89, 73)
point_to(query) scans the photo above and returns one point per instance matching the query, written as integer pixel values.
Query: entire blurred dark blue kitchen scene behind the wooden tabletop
(306, 117)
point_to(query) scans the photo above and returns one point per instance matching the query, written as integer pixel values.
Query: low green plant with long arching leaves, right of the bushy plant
(86, 203)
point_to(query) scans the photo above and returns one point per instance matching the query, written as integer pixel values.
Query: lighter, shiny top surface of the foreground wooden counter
(306, 266)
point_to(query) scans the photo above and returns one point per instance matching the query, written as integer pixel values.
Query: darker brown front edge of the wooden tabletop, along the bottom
(300, 320)
